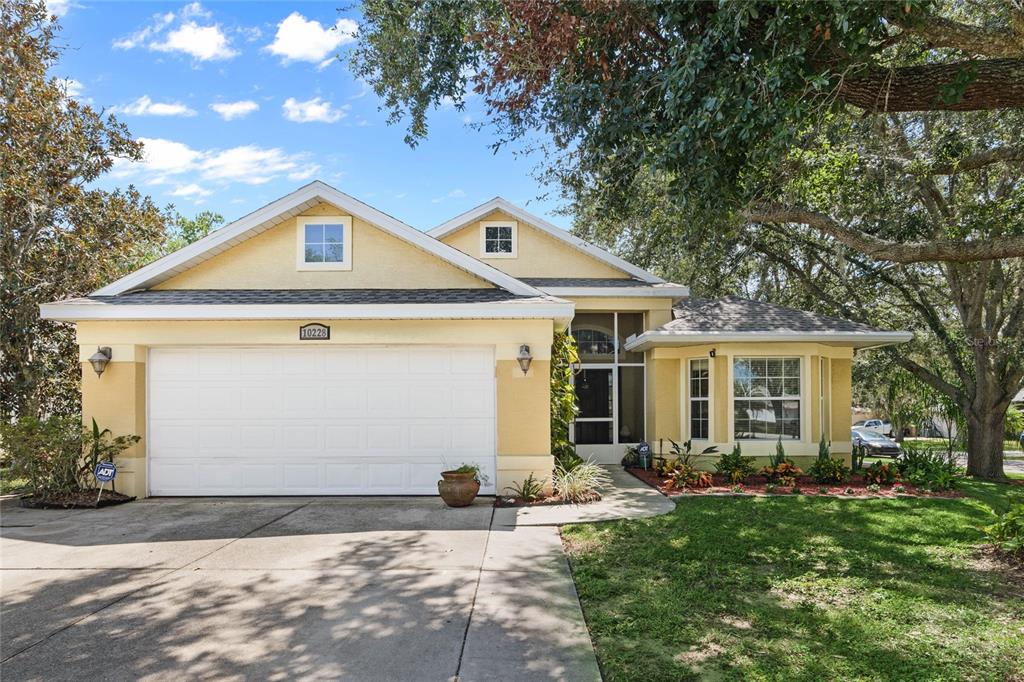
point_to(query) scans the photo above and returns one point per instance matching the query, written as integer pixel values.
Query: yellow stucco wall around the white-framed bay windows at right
(670, 419)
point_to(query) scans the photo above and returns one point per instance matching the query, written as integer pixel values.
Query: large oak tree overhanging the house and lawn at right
(741, 109)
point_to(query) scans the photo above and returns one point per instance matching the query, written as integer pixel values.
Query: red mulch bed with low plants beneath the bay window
(806, 486)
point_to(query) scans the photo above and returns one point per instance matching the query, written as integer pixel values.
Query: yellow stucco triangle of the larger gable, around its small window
(379, 262)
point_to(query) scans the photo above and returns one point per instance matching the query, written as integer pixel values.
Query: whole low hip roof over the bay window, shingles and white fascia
(739, 320)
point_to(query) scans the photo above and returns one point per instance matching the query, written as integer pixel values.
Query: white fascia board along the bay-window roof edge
(663, 338)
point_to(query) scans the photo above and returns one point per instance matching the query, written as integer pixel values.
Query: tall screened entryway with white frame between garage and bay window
(610, 386)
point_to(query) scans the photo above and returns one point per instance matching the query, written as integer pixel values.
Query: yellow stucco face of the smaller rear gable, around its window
(539, 254)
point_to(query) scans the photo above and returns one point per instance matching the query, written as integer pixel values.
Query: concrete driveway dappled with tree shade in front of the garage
(338, 588)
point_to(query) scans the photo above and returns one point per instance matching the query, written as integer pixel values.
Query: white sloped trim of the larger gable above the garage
(288, 207)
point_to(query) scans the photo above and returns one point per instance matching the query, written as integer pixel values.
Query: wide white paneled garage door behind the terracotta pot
(331, 420)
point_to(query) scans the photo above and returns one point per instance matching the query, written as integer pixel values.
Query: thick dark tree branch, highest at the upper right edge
(989, 84)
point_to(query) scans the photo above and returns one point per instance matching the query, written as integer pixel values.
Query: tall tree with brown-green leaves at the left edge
(61, 235)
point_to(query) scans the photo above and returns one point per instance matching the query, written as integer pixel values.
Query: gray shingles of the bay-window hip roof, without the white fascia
(733, 314)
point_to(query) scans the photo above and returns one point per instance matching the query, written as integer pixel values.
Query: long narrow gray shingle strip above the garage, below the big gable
(303, 296)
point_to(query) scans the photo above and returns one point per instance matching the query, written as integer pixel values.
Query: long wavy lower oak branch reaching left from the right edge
(898, 252)
